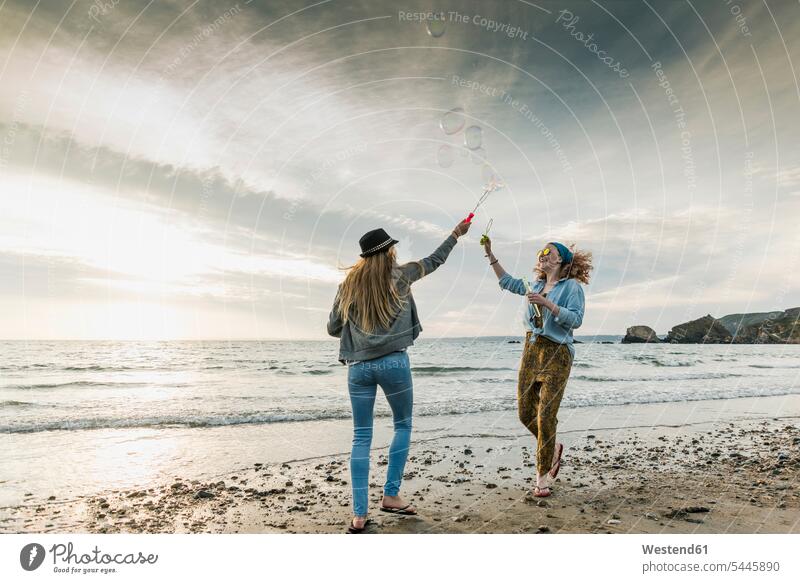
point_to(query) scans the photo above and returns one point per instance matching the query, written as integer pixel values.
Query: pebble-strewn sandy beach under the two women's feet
(724, 466)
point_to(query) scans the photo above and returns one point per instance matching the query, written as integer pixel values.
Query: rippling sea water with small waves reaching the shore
(79, 416)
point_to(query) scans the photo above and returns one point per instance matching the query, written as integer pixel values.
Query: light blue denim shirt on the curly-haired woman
(567, 294)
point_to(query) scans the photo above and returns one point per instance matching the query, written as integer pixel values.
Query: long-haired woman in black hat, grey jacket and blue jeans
(375, 317)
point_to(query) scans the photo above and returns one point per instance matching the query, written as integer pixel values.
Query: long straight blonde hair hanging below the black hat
(368, 297)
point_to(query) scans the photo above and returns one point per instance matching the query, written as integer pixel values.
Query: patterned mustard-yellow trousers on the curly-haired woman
(543, 374)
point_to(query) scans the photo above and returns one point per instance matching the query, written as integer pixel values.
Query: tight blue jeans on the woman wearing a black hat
(393, 373)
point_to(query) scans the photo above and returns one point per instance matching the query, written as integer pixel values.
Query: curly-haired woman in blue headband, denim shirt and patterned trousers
(555, 306)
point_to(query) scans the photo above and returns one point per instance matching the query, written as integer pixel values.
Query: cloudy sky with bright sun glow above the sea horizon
(203, 169)
